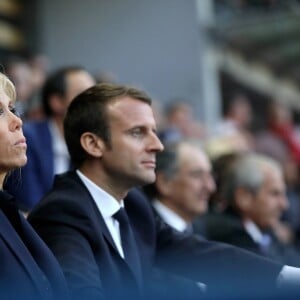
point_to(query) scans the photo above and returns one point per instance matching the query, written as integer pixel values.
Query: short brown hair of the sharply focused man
(88, 113)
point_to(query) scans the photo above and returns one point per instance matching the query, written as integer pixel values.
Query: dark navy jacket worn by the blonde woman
(28, 269)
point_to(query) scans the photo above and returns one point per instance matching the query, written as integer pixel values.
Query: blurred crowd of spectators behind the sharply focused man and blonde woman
(237, 185)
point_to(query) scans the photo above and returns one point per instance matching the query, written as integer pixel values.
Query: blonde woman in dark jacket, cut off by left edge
(28, 268)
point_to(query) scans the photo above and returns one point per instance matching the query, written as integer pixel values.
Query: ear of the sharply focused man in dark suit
(92, 144)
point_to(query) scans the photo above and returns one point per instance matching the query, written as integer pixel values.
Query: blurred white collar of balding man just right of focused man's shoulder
(169, 216)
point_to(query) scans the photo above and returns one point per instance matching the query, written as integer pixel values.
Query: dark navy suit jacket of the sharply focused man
(72, 226)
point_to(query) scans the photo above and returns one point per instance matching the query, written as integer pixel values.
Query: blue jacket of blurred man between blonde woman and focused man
(37, 175)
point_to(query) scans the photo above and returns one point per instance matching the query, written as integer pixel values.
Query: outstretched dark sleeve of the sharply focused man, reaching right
(226, 270)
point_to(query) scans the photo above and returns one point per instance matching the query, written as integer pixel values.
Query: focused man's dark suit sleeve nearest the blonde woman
(71, 247)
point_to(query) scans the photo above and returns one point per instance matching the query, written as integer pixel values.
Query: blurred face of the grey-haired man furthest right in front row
(270, 201)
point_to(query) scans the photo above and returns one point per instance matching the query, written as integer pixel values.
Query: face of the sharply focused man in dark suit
(131, 159)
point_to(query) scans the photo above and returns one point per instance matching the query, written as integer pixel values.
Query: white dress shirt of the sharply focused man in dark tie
(107, 206)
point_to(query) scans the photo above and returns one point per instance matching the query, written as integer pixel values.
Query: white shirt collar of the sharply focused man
(106, 203)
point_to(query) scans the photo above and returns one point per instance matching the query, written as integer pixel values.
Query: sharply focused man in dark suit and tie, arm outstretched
(111, 136)
